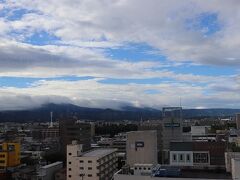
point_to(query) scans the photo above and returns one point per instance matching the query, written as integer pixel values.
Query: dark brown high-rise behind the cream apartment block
(75, 130)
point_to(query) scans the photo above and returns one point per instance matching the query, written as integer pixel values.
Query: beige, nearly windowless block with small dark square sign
(142, 147)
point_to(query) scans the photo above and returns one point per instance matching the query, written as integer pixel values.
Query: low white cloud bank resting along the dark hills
(92, 93)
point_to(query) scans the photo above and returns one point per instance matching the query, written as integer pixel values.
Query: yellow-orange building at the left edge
(9, 155)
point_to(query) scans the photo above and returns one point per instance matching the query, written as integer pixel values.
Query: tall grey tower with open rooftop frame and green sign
(172, 125)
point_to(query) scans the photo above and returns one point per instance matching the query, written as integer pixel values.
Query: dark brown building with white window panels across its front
(198, 154)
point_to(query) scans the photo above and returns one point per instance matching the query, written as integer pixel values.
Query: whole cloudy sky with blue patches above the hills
(116, 53)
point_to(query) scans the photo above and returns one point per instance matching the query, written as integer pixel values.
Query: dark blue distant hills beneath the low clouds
(64, 111)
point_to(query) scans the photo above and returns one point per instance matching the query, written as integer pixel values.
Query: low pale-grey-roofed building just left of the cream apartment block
(48, 172)
